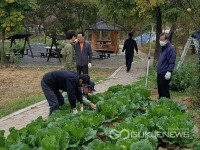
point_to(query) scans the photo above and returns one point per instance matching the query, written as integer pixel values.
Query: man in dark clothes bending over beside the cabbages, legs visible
(67, 81)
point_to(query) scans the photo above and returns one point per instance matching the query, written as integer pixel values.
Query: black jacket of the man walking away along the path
(129, 45)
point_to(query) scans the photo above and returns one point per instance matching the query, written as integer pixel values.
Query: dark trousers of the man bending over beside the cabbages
(54, 98)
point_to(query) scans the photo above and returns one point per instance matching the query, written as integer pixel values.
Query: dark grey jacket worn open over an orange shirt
(84, 57)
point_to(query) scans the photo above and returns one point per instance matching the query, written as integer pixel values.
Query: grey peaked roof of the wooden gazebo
(103, 25)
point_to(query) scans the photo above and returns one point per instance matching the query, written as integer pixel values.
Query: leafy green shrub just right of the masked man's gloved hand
(184, 78)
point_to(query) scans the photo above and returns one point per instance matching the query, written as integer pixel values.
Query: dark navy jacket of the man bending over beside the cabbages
(67, 81)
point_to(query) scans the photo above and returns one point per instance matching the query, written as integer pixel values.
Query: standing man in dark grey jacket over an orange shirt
(83, 54)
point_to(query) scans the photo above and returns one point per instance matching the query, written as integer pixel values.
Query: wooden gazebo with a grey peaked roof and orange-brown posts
(99, 42)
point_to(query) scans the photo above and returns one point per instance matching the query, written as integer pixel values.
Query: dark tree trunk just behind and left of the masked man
(158, 32)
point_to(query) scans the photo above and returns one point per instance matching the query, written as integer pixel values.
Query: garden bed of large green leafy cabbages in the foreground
(125, 118)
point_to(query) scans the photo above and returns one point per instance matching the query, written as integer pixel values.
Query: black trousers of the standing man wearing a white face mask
(163, 86)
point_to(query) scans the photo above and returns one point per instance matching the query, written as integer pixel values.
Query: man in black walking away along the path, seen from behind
(129, 46)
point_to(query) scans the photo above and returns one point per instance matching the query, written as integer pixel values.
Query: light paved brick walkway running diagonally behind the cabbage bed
(23, 117)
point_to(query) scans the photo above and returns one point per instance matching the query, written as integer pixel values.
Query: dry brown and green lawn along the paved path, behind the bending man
(20, 87)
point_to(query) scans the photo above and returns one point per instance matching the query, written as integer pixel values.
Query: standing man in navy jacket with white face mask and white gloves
(165, 66)
